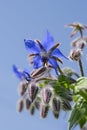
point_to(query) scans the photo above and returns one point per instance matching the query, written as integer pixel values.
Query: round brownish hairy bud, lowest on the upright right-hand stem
(75, 54)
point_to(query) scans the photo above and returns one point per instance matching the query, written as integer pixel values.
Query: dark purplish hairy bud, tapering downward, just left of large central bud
(32, 89)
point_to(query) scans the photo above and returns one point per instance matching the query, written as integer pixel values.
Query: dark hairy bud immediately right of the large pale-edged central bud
(56, 104)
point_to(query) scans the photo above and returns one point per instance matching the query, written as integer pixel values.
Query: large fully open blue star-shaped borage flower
(44, 52)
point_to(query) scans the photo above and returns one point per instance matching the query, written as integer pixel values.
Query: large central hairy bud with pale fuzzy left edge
(46, 95)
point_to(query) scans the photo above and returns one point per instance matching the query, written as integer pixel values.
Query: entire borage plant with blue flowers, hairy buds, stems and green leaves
(41, 90)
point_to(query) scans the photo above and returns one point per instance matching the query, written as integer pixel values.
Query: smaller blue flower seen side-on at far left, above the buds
(21, 74)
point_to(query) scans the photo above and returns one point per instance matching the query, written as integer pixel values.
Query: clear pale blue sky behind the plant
(30, 19)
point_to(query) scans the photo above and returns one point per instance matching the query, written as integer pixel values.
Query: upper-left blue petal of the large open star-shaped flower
(32, 46)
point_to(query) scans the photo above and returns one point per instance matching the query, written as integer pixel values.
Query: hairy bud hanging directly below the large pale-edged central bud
(44, 110)
